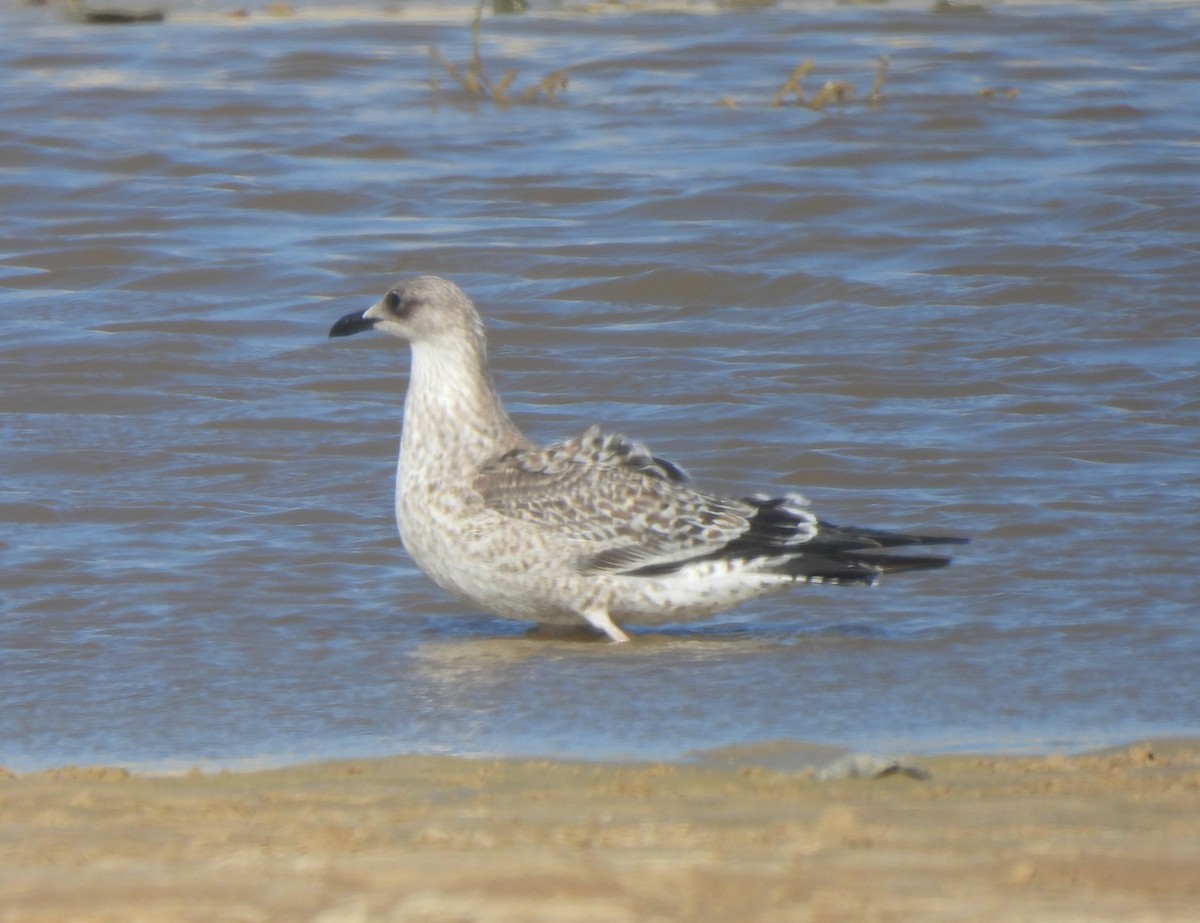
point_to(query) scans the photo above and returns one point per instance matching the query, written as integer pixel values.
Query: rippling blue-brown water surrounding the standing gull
(956, 309)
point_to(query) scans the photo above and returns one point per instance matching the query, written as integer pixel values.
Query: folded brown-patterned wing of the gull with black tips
(637, 516)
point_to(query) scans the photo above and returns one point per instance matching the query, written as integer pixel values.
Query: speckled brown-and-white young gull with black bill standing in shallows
(593, 530)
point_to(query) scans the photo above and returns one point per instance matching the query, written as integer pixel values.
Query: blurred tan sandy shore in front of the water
(1101, 837)
